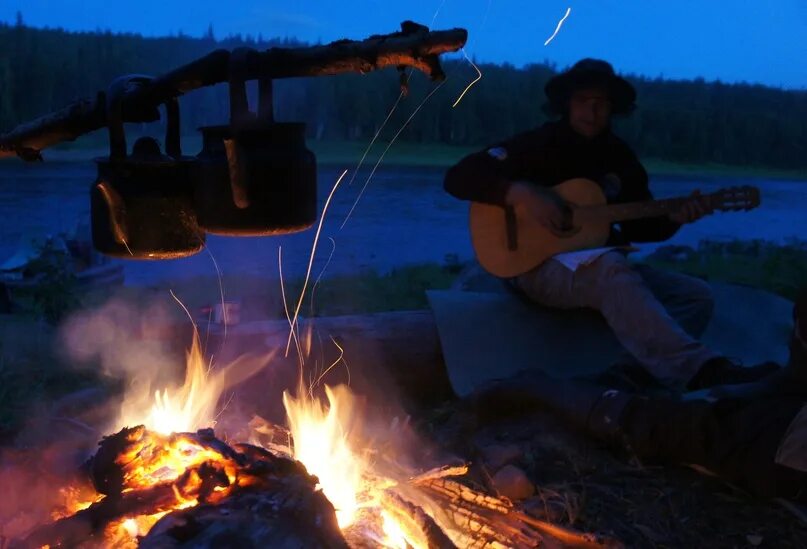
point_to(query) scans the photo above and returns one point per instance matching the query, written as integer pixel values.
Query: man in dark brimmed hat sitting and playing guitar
(657, 316)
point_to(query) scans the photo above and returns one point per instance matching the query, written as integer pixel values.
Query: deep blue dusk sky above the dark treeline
(758, 41)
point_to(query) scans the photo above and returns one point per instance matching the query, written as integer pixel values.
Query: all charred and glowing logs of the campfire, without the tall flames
(191, 488)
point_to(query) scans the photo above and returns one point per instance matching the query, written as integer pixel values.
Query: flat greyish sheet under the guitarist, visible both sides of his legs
(492, 335)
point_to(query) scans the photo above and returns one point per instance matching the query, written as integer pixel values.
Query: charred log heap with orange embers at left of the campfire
(141, 474)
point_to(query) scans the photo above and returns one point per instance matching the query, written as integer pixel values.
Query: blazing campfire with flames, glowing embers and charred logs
(165, 479)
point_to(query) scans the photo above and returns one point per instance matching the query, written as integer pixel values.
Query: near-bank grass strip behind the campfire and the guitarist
(31, 369)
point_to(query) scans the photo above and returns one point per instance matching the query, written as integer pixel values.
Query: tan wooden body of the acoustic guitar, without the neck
(534, 244)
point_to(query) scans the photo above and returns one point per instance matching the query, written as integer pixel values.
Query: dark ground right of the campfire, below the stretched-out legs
(585, 486)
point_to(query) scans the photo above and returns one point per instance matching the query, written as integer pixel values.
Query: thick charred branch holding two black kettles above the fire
(414, 46)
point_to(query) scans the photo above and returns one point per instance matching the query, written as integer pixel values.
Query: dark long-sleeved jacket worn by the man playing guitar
(551, 154)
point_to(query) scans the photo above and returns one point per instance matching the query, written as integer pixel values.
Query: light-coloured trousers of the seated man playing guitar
(657, 316)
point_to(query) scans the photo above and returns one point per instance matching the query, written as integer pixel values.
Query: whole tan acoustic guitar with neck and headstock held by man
(508, 242)
